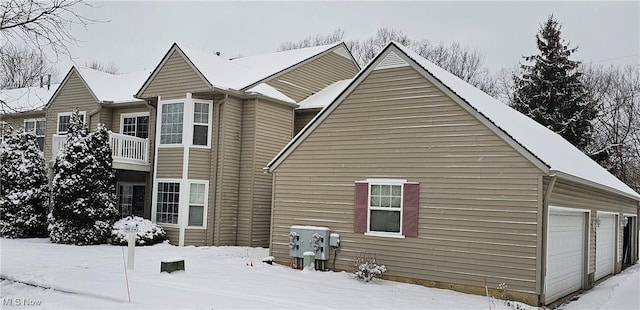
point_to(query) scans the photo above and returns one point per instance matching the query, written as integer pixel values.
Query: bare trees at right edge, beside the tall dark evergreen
(616, 142)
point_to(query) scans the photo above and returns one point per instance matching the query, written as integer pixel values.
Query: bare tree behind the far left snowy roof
(23, 67)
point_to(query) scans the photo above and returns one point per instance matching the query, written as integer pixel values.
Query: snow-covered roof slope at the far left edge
(26, 99)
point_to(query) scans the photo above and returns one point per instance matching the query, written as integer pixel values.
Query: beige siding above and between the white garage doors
(571, 195)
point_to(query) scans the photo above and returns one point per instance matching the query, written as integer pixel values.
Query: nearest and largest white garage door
(565, 252)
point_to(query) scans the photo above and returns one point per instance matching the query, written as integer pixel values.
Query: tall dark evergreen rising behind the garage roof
(550, 91)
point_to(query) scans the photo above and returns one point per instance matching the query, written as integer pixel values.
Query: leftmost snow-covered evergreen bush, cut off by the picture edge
(24, 191)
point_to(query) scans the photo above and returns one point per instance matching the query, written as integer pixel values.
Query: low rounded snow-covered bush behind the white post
(148, 232)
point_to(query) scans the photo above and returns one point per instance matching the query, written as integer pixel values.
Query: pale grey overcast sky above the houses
(135, 35)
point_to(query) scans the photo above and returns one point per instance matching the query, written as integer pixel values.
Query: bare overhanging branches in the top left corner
(41, 25)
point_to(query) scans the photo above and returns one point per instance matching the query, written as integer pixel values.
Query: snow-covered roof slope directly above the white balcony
(117, 88)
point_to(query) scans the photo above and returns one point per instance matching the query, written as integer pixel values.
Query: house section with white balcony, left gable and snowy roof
(108, 98)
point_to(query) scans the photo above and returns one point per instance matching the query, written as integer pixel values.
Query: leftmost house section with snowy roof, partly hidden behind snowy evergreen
(23, 108)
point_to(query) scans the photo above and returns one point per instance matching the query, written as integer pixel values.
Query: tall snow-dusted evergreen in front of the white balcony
(83, 188)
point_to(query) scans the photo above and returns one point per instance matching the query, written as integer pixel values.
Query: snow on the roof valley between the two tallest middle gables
(243, 72)
